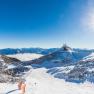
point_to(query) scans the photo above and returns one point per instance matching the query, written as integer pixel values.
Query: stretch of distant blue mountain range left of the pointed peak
(10, 51)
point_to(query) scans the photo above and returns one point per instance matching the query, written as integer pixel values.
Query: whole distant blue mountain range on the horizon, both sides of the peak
(10, 51)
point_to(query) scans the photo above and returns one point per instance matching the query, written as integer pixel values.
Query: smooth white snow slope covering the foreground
(38, 81)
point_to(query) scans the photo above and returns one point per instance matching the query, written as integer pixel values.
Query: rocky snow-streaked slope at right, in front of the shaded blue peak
(78, 72)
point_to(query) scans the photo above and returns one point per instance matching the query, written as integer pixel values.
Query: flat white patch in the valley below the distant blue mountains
(26, 56)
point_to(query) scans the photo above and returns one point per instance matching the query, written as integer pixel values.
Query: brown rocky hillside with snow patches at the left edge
(10, 68)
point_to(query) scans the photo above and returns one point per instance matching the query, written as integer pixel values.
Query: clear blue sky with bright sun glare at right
(46, 23)
